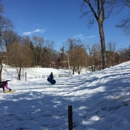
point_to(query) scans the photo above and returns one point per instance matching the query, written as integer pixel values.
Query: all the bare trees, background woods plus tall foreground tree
(22, 52)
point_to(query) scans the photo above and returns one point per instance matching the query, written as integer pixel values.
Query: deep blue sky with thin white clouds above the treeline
(58, 20)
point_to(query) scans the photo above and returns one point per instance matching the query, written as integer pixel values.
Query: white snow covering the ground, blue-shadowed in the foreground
(100, 100)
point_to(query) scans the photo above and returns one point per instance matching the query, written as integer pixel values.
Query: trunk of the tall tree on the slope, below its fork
(103, 48)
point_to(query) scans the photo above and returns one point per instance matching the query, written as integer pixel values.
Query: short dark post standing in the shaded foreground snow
(70, 119)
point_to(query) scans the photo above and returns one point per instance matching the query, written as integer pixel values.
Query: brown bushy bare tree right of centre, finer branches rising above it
(77, 54)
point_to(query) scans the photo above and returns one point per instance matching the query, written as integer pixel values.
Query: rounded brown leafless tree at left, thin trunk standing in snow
(20, 56)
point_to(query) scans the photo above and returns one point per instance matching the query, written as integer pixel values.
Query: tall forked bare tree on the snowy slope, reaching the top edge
(99, 11)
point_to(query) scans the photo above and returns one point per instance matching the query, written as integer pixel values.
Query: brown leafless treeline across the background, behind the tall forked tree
(37, 52)
